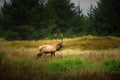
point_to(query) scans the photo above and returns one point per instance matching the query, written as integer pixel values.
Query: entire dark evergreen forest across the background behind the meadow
(40, 19)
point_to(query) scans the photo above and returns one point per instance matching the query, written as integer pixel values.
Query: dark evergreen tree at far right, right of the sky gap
(106, 18)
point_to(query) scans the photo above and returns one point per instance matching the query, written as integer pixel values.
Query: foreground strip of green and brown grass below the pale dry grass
(60, 69)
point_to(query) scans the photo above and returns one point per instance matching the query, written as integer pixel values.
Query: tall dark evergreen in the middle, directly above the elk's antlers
(61, 12)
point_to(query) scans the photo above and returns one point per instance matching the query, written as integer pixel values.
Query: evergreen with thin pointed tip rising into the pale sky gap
(78, 22)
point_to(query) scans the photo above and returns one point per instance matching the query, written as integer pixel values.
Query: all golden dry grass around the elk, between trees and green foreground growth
(88, 47)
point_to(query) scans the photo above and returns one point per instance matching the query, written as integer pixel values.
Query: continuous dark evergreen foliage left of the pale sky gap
(28, 19)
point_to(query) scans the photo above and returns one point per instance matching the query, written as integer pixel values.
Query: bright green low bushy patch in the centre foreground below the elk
(66, 64)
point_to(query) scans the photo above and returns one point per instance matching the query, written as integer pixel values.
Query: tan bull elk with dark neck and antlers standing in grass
(45, 49)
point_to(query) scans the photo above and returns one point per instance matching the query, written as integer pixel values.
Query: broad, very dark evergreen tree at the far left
(17, 14)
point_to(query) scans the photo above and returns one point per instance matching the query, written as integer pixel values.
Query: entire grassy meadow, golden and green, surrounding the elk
(81, 58)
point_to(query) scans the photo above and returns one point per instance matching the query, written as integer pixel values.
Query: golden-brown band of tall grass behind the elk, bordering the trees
(83, 43)
